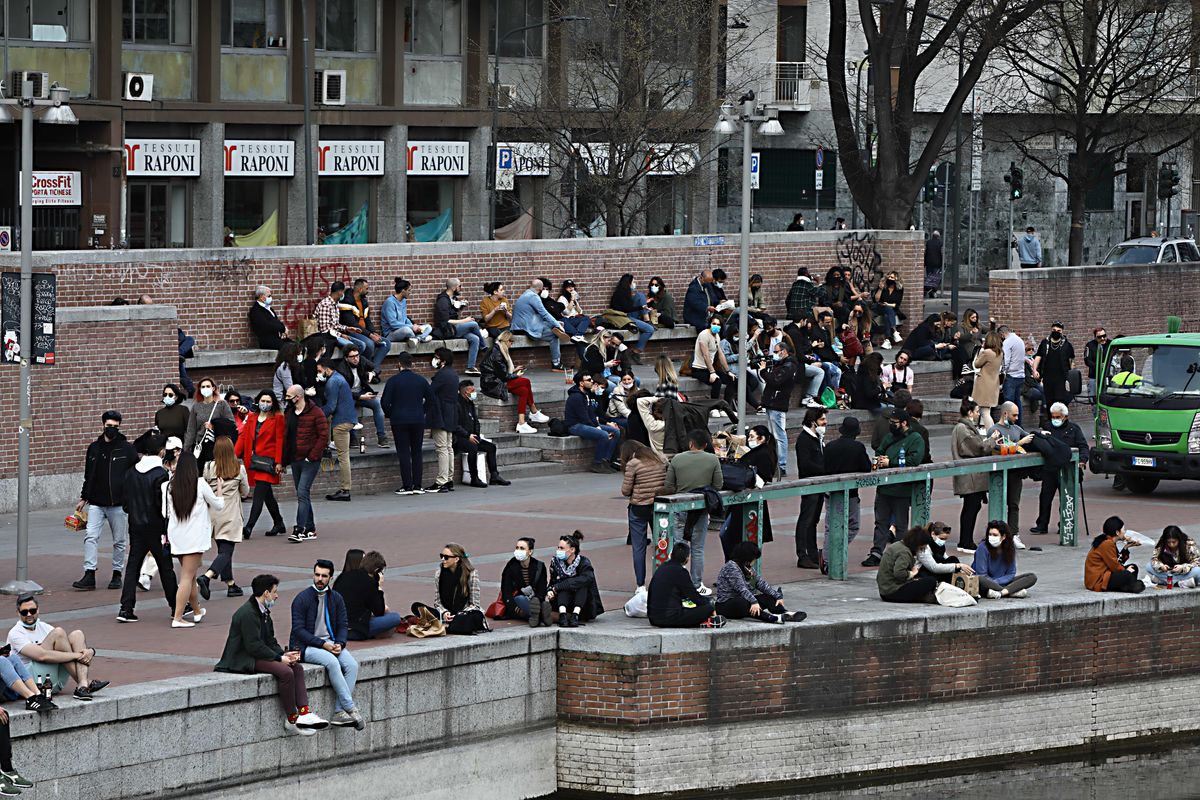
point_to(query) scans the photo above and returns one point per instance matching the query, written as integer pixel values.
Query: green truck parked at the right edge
(1148, 411)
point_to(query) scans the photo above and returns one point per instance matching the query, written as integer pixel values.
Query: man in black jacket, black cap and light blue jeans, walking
(110, 459)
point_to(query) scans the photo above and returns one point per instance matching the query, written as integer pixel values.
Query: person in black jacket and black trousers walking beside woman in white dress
(148, 528)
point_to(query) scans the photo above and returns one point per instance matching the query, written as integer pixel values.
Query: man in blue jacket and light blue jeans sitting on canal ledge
(320, 631)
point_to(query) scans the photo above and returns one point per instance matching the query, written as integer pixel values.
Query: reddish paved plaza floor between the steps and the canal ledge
(411, 531)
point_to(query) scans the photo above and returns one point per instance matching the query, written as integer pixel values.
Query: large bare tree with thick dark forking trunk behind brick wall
(907, 43)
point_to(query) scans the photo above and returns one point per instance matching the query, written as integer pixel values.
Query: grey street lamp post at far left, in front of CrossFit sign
(59, 115)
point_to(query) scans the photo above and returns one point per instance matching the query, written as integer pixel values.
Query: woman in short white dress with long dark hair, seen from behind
(187, 501)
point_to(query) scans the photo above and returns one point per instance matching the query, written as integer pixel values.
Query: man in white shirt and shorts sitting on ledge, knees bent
(52, 653)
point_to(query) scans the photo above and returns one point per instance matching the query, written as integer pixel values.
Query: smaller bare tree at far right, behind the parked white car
(1109, 77)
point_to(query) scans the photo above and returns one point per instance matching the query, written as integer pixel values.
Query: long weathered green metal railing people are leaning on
(749, 503)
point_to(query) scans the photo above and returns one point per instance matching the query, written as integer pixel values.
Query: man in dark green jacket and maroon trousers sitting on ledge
(253, 648)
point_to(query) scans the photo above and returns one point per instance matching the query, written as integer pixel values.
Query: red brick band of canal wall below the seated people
(832, 670)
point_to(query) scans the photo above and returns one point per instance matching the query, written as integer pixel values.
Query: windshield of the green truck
(1151, 375)
